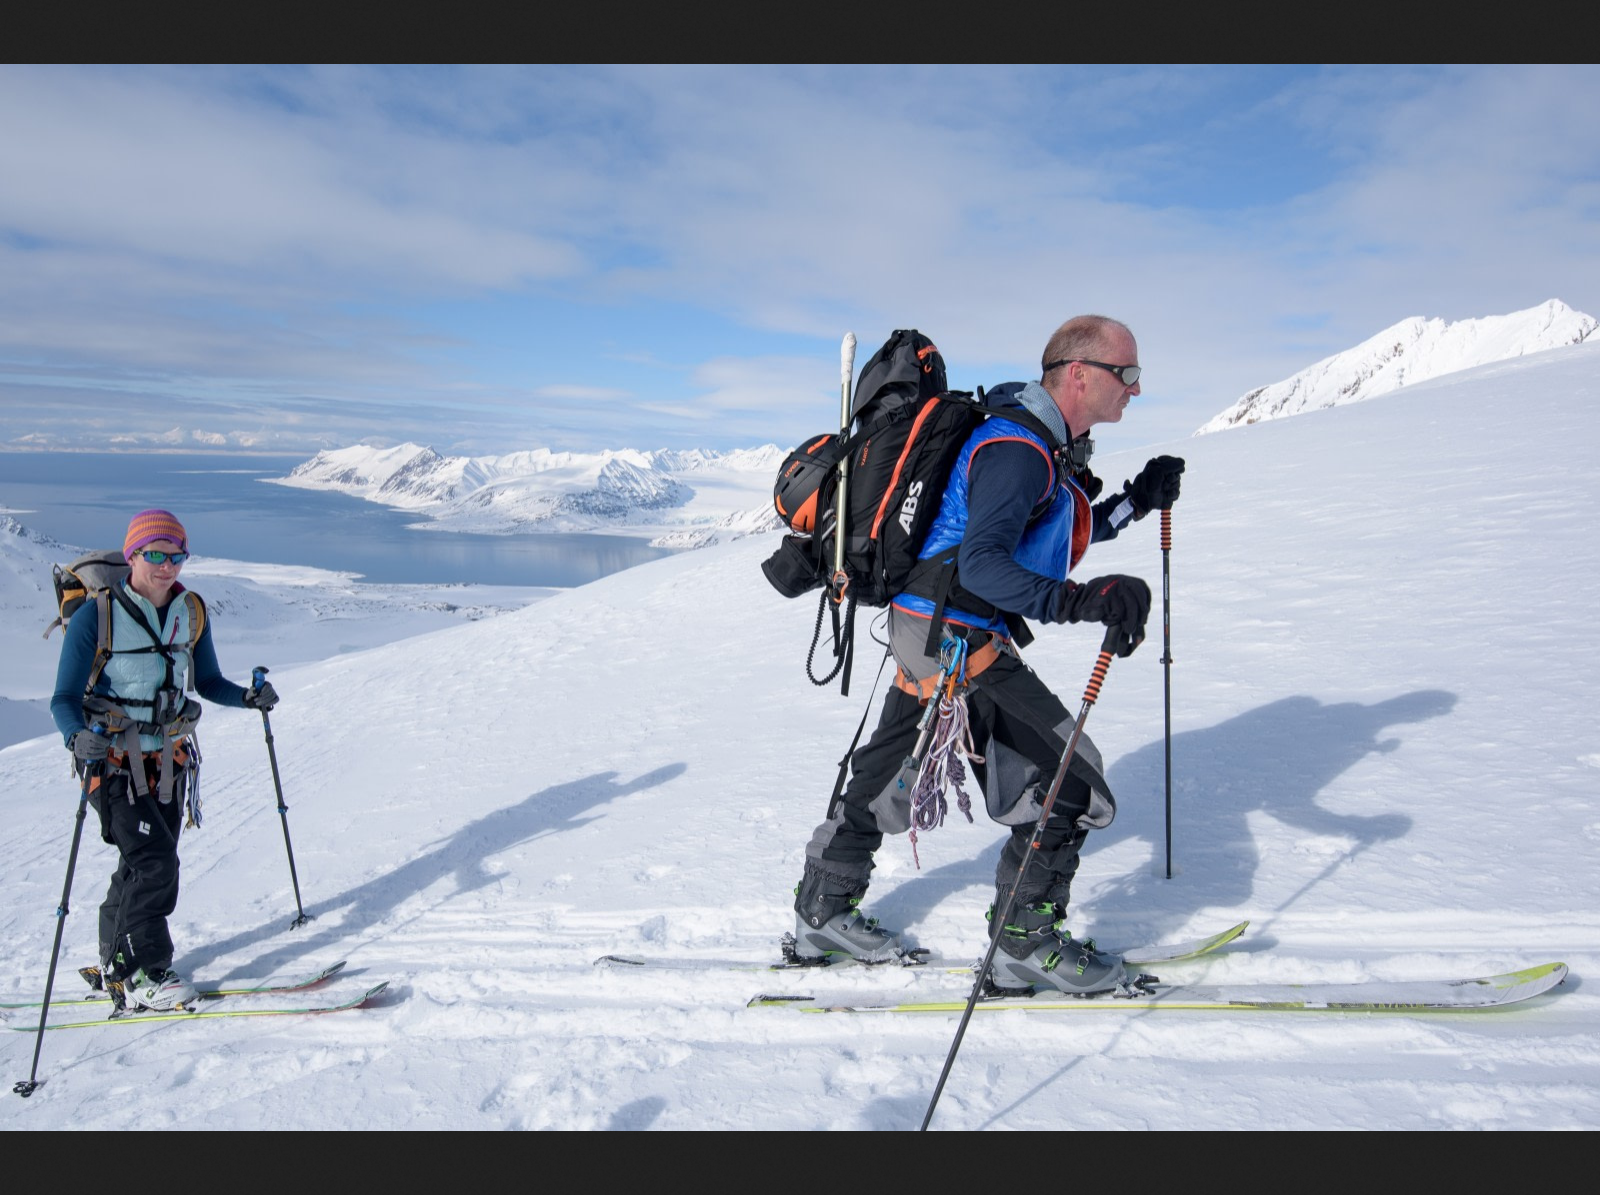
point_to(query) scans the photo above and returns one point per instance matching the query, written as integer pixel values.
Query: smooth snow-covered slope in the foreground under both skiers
(1385, 756)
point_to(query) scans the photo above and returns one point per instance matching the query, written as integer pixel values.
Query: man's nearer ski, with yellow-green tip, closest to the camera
(1369, 996)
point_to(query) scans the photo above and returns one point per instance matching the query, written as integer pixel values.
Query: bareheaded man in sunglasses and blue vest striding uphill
(1015, 519)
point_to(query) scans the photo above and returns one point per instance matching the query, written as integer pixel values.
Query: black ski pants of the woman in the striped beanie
(143, 890)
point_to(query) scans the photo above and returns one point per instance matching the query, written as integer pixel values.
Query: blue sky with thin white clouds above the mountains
(489, 260)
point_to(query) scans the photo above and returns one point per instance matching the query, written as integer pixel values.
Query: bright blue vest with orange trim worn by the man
(1052, 545)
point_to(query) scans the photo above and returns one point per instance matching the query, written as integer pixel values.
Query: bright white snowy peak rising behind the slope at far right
(1412, 351)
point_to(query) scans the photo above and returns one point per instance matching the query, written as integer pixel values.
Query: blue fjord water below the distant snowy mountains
(231, 511)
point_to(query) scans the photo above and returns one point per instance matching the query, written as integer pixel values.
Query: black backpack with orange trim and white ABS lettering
(905, 438)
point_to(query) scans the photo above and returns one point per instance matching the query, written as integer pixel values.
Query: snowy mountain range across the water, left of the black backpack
(682, 498)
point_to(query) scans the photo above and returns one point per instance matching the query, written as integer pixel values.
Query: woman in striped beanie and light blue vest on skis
(129, 658)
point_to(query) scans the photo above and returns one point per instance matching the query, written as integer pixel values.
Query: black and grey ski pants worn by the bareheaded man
(1020, 729)
